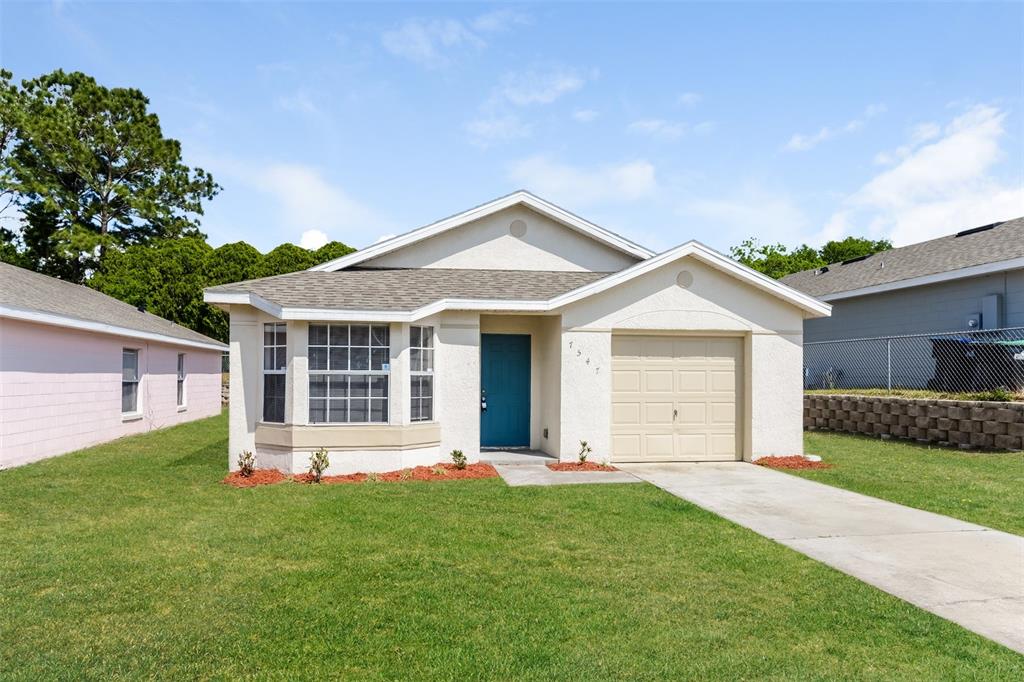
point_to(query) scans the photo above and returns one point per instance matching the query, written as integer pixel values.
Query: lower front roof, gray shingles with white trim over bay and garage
(407, 295)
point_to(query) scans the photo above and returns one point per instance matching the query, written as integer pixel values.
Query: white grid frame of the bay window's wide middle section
(330, 364)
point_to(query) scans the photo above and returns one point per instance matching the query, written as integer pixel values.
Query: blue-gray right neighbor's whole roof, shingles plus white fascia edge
(972, 252)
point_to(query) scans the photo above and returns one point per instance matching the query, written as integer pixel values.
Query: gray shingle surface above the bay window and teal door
(405, 290)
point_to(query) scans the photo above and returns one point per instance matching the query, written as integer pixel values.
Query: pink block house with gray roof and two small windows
(79, 368)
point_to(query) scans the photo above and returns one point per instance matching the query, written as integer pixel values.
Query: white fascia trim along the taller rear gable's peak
(521, 197)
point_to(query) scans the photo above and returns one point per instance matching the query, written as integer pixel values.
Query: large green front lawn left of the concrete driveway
(132, 561)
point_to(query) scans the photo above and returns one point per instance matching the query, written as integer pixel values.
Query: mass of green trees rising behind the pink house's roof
(93, 192)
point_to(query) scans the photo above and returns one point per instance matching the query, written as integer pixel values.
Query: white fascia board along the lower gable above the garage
(707, 255)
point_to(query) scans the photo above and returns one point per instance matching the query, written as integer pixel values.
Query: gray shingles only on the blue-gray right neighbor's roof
(1004, 242)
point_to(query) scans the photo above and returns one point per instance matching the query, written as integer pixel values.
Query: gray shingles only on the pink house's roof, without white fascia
(31, 291)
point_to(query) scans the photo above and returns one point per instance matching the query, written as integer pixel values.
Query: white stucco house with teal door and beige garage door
(516, 324)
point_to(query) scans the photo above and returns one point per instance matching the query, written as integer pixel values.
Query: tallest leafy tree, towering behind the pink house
(93, 170)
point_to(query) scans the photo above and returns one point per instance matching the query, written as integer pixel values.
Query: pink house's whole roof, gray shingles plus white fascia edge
(34, 297)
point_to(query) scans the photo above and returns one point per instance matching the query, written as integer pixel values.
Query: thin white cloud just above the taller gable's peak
(582, 186)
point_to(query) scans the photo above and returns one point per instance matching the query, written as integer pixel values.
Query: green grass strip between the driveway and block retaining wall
(983, 488)
